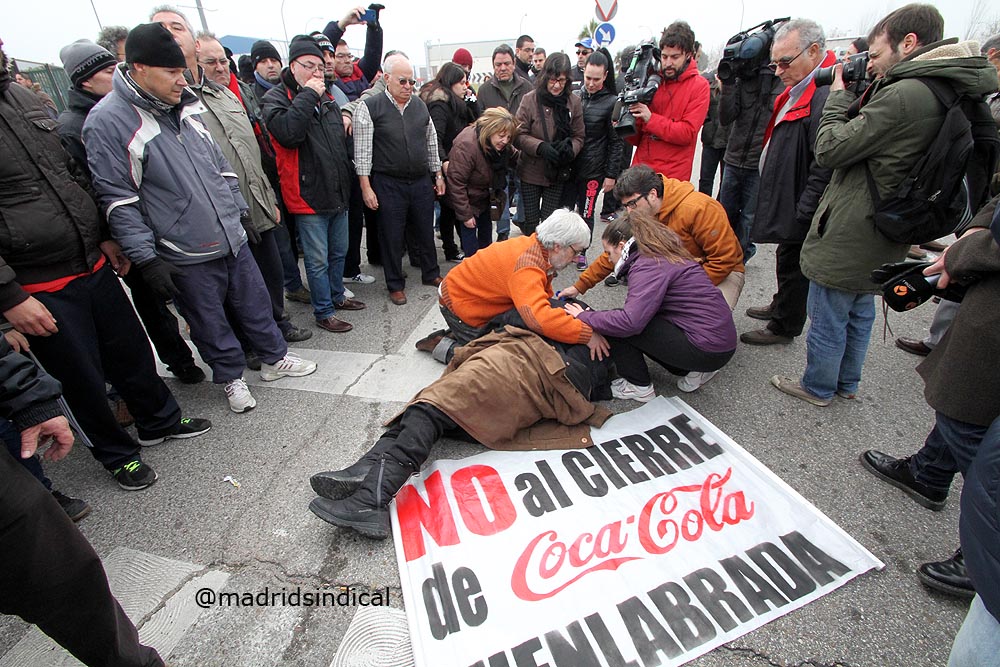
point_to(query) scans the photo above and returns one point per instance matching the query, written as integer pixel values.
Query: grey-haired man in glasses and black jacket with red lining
(791, 183)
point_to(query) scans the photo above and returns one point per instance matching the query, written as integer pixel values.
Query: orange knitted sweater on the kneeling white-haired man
(512, 274)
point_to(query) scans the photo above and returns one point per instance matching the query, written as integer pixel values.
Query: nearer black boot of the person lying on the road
(366, 511)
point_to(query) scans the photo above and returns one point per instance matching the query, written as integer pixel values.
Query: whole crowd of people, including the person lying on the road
(197, 179)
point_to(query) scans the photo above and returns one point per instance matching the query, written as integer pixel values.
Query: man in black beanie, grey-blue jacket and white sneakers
(174, 204)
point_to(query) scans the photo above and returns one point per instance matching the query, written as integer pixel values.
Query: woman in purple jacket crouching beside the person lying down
(672, 313)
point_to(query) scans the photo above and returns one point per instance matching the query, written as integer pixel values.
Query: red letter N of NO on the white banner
(416, 515)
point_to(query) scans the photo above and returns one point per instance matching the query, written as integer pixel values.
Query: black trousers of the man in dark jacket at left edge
(100, 340)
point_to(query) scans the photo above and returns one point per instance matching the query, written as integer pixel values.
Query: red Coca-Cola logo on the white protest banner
(551, 563)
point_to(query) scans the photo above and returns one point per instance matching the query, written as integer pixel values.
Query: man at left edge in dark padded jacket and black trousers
(59, 291)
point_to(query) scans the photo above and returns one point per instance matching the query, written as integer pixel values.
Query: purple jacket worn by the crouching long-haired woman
(679, 293)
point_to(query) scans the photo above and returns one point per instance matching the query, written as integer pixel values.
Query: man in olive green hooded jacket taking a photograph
(886, 133)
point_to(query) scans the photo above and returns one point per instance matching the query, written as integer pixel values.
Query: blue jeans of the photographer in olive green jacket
(837, 342)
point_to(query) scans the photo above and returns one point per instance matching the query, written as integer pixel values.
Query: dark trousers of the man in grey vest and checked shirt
(406, 218)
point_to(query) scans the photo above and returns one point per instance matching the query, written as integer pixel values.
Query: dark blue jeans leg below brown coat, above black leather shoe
(949, 448)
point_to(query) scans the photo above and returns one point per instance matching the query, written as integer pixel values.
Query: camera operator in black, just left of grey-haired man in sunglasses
(749, 89)
